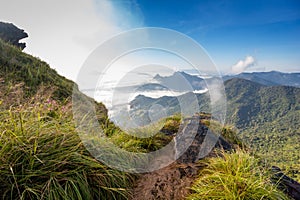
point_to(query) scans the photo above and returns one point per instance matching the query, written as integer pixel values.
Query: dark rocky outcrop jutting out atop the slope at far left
(12, 34)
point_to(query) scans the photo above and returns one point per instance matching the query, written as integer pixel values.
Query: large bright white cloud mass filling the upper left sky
(63, 33)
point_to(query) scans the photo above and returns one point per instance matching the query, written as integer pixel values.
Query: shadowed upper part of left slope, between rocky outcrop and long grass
(19, 67)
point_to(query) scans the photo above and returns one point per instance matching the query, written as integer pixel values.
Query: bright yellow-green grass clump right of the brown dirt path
(234, 176)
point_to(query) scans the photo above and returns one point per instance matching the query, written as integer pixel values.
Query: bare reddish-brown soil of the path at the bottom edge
(169, 183)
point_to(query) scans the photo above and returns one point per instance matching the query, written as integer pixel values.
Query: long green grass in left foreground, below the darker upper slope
(42, 157)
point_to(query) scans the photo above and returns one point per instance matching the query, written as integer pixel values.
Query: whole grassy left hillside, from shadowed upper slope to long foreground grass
(41, 154)
